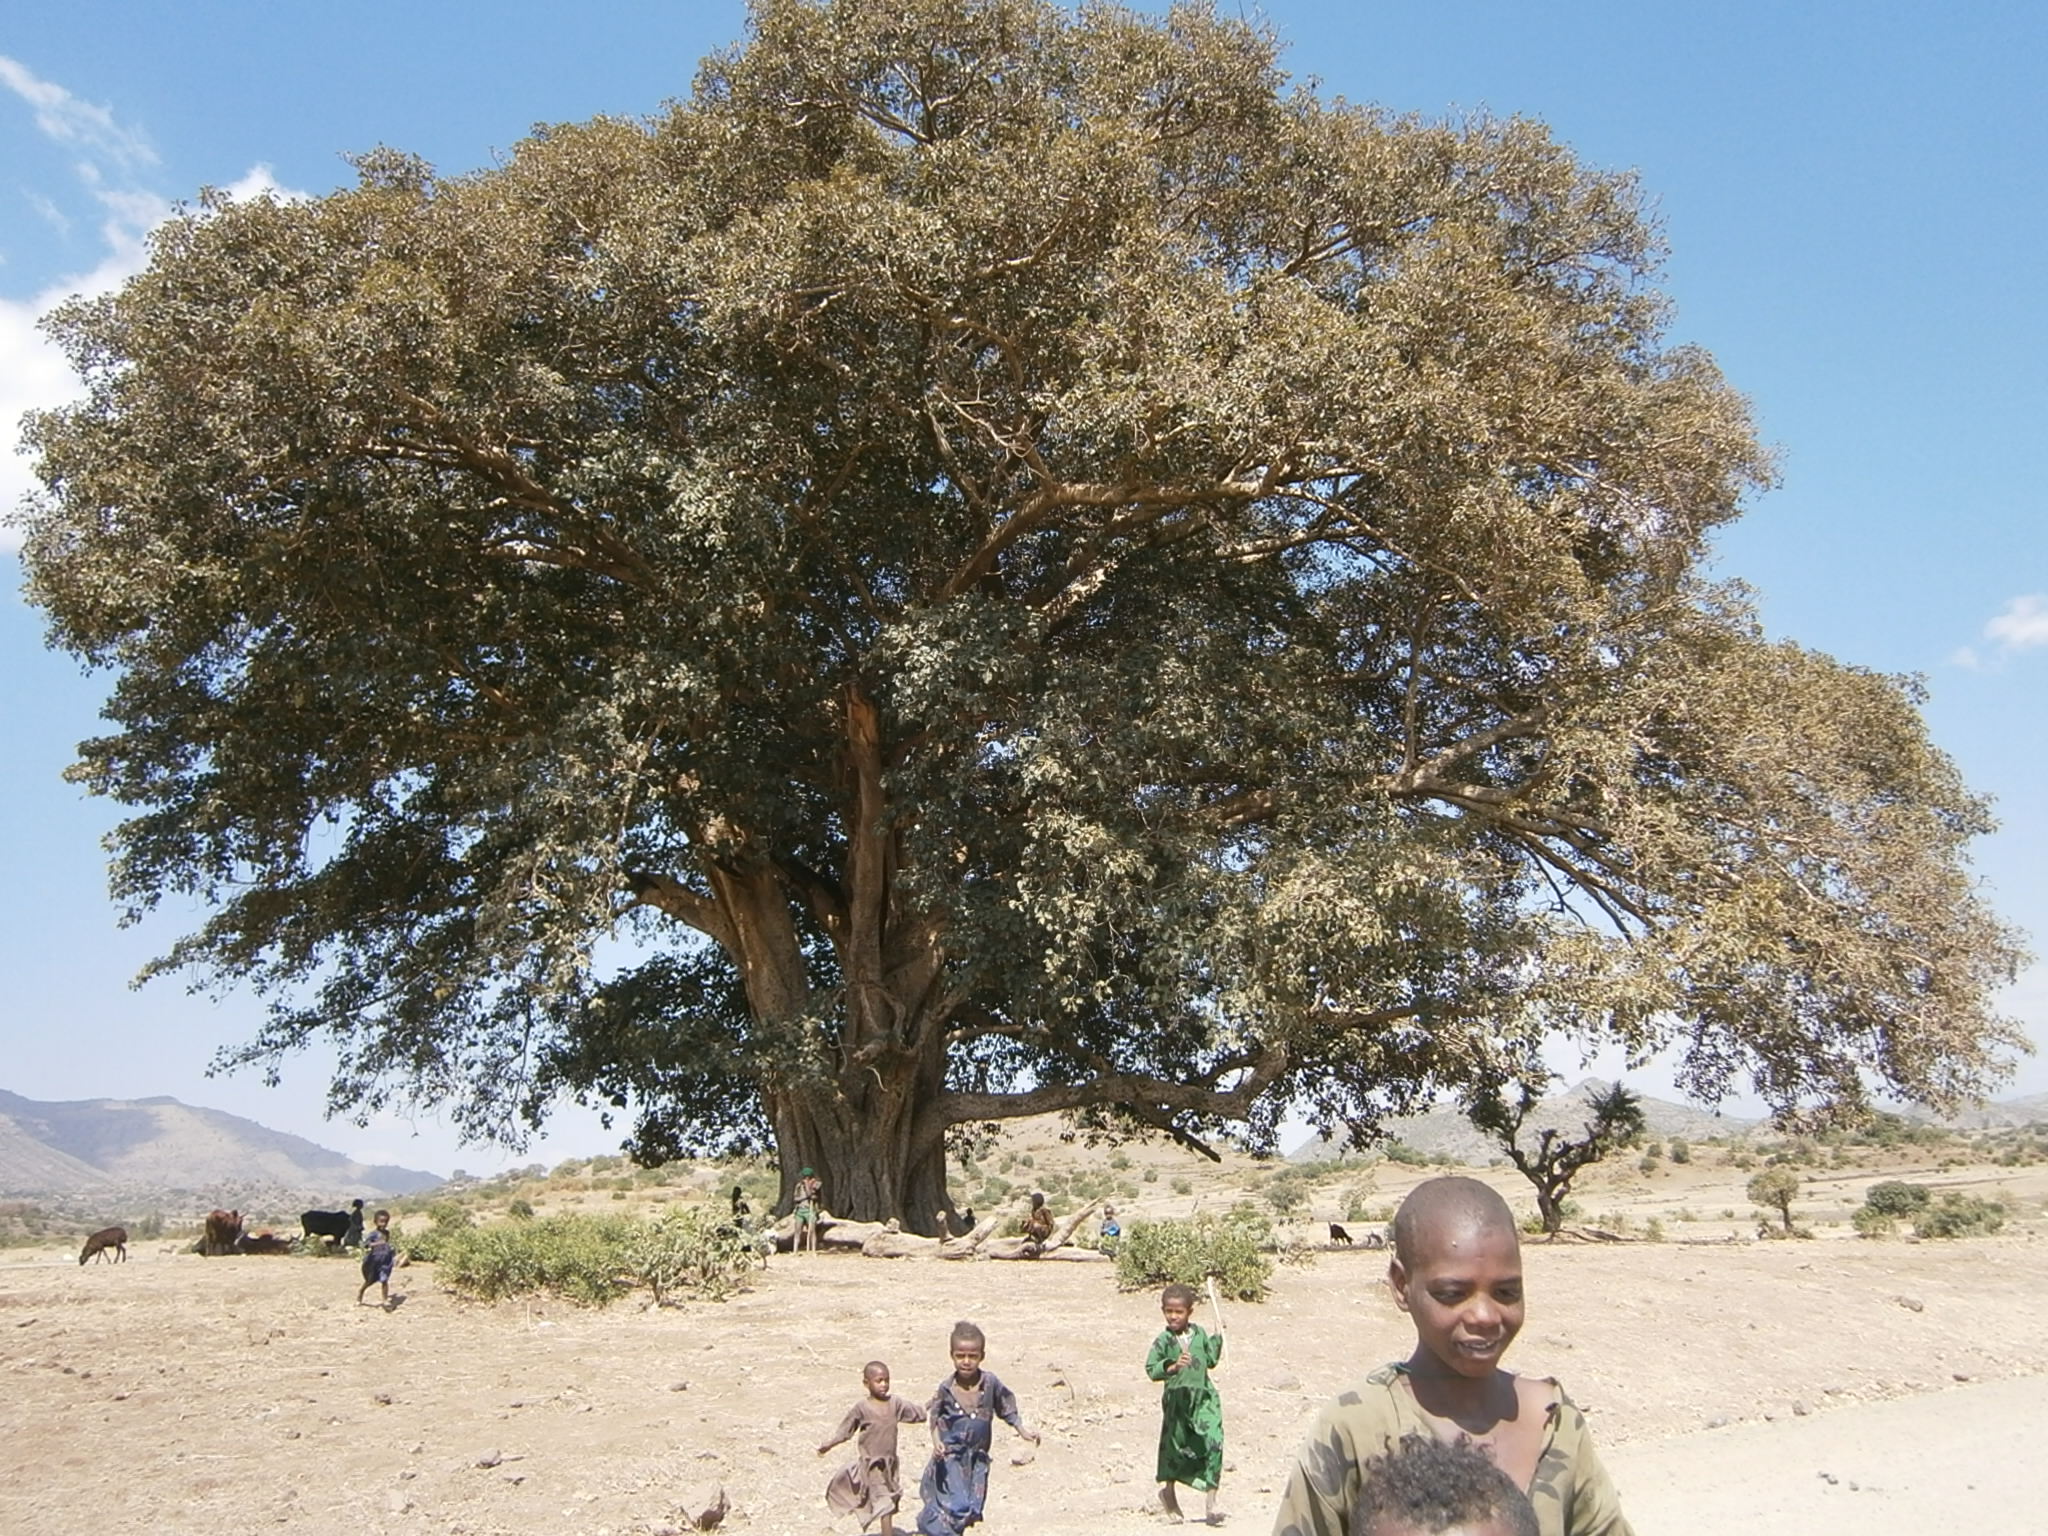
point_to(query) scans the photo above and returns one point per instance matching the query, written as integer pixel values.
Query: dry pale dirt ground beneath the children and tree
(1734, 1385)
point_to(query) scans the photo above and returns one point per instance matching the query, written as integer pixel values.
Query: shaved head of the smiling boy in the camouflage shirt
(1457, 1273)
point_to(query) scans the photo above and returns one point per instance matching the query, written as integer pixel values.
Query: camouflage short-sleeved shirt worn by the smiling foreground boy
(1572, 1490)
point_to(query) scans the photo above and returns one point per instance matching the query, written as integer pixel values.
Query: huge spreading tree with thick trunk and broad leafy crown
(992, 560)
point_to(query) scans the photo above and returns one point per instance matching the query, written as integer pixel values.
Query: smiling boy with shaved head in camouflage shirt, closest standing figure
(1457, 1273)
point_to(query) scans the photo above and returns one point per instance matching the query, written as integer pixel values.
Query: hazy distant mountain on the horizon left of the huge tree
(159, 1144)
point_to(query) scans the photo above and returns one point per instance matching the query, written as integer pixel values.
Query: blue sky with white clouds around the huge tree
(1854, 208)
